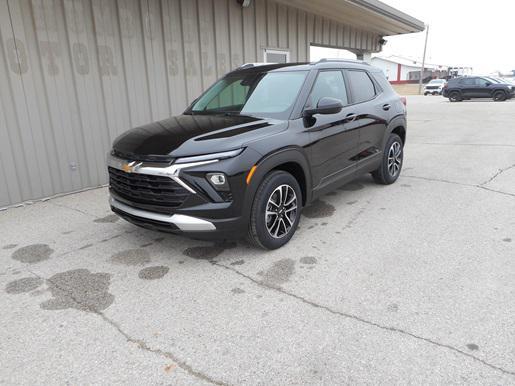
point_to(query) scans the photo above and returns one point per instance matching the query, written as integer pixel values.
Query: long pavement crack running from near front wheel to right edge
(363, 320)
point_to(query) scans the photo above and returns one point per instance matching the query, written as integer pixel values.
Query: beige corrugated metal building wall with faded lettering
(76, 73)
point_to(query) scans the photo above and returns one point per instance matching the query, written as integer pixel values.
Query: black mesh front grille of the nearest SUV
(147, 189)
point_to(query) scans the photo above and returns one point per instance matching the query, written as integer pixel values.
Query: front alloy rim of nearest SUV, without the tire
(281, 211)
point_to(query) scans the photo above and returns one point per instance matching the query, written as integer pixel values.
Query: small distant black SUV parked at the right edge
(459, 89)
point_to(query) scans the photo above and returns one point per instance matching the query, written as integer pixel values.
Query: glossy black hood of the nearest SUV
(187, 135)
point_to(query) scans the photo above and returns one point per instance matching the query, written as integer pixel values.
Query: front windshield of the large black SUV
(268, 94)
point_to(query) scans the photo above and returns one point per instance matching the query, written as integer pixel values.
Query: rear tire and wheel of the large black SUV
(391, 165)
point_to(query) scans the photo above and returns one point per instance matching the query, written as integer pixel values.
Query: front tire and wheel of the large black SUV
(275, 211)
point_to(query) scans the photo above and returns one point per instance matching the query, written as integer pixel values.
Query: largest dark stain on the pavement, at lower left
(79, 289)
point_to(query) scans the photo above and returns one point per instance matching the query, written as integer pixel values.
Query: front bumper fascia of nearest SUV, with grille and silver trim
(202, 213)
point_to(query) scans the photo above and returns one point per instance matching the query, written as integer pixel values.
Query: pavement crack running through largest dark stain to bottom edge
(139, 342)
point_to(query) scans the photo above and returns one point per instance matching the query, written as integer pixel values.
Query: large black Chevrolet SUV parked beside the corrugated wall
(256, 147)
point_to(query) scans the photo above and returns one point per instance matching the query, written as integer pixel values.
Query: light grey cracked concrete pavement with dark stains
(408, 283)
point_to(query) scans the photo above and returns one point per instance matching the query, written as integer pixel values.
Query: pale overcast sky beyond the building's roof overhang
(480, 34)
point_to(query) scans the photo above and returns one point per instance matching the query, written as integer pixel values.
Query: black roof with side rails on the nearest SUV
(303, 66)
